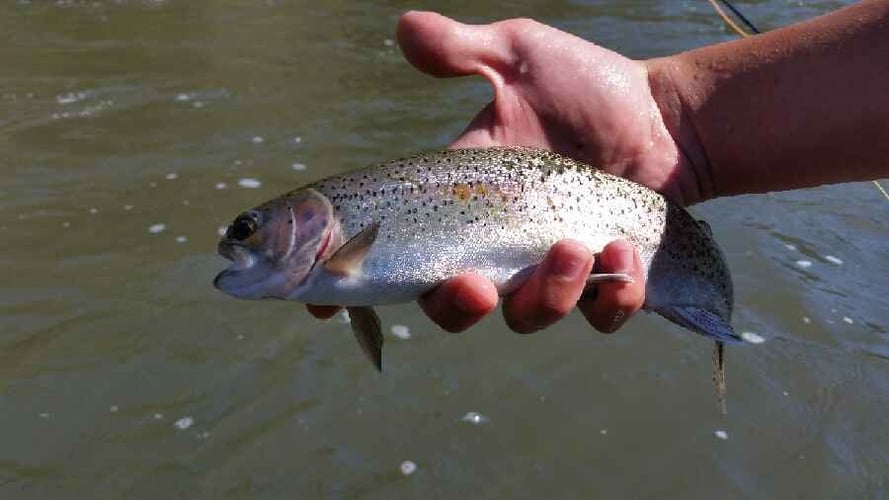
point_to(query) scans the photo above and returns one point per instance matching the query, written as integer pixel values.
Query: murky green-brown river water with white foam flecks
(131, 131)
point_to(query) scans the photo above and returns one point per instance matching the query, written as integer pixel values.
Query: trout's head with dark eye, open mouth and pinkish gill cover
(275, 246)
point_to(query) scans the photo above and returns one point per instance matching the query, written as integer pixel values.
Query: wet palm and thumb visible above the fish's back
(555, 91)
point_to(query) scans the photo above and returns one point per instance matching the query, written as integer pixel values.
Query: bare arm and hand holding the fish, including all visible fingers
(797, 107)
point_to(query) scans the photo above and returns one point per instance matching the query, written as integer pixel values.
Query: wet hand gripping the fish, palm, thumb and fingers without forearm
(554, 91)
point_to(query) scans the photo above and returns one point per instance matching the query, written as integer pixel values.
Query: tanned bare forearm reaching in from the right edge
(801, 106)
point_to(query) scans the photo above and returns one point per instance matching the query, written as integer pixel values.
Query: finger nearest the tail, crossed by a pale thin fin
(614, 302)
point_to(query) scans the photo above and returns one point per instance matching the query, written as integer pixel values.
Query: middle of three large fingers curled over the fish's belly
(552, 290)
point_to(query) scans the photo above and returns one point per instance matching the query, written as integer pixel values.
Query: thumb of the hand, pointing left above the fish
(443, 47)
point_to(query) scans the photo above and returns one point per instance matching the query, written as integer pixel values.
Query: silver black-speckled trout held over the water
(391, 232)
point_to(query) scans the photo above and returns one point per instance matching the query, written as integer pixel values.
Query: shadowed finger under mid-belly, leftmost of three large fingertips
(460, 302)
